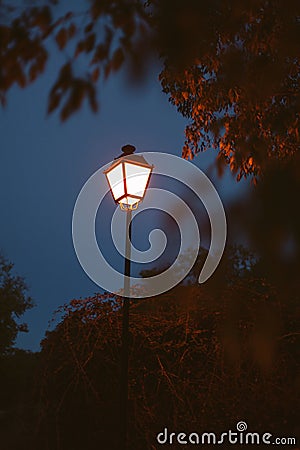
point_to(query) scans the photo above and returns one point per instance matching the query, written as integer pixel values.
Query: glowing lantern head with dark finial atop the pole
(128, 178)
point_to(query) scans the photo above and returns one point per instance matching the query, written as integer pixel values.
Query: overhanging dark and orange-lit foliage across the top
(230, 67)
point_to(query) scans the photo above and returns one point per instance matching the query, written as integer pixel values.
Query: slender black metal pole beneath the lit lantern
(125, 338)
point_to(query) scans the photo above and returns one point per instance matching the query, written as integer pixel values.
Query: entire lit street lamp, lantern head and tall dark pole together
(128, 178)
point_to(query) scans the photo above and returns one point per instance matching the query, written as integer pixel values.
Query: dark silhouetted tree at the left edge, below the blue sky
(17, 367)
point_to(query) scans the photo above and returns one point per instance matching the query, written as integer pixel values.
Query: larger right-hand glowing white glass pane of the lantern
(136, 179)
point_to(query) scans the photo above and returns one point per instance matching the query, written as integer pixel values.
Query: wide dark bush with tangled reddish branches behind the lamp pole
(201, 358)
